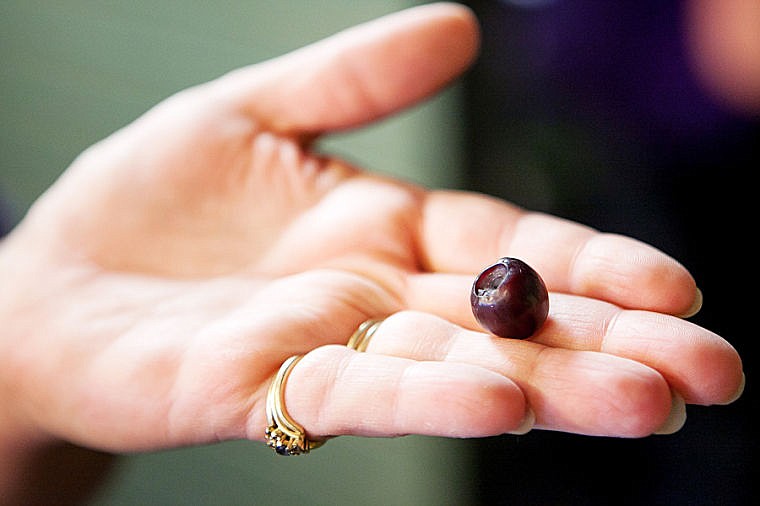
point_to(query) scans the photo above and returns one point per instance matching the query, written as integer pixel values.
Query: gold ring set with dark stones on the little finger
(284, 435)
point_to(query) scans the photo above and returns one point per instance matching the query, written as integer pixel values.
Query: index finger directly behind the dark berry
(464, 233)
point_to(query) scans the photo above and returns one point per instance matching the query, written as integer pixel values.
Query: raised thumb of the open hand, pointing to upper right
(358, 75)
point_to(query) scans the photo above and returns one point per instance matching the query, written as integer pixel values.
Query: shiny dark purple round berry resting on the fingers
(509, 299)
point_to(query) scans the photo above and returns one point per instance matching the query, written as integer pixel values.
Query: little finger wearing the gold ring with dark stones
(335, 390)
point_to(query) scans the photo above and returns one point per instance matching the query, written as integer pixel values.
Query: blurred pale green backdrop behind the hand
(74, 71)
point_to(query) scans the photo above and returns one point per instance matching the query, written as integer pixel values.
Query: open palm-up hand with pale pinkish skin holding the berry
(151, 294)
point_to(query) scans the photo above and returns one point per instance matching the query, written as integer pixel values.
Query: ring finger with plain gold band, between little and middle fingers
(567, 390)
